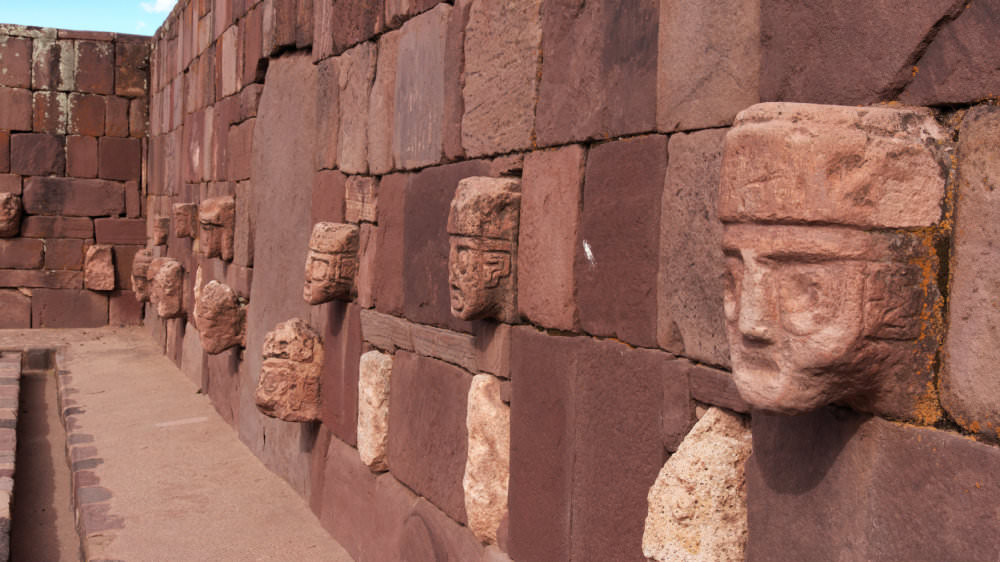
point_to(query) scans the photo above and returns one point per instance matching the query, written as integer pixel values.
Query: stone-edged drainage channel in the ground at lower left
(37, 492)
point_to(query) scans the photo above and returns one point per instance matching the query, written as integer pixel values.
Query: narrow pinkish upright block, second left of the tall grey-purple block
(356, 72)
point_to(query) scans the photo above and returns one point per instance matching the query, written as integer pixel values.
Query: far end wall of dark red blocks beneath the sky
(73, 114)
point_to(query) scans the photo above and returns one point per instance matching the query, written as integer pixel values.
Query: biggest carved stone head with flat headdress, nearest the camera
(831, 287)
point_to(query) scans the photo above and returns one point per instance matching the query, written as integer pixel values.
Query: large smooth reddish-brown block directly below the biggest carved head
(835, 484)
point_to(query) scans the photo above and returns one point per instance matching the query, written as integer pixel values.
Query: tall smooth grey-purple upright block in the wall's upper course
(418, 120)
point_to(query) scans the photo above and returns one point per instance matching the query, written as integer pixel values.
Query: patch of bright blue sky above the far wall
(140, 17)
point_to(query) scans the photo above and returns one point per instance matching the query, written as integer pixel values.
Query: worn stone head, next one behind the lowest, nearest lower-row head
(219, 317)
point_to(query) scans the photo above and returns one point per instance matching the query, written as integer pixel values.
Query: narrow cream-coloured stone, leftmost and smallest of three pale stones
(373, 409)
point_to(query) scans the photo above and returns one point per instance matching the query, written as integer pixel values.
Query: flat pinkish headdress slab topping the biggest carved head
(831, 155)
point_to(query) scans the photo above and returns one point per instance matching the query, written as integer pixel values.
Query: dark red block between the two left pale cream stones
(427, 446)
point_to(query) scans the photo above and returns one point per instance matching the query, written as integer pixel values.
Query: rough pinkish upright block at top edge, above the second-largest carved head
(502, 44)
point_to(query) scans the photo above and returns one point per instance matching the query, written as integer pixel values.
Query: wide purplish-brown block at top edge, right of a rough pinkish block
(599, 66)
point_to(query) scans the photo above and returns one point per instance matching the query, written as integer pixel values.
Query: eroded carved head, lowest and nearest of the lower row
(289, 387)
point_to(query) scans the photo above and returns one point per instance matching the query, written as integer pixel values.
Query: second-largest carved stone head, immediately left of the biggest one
(482, 261)
